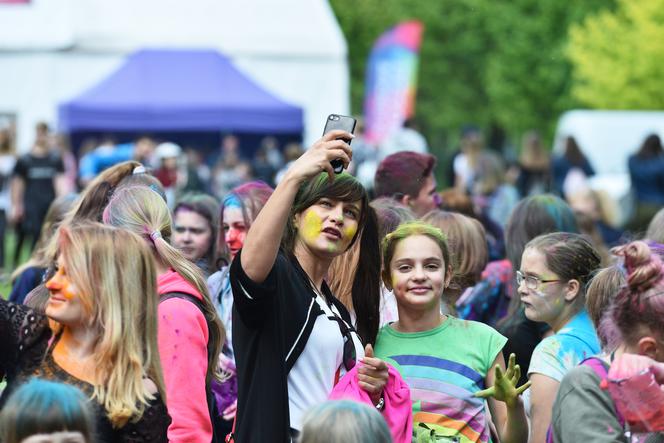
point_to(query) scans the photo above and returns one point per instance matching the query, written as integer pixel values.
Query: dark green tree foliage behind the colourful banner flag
(490, 62)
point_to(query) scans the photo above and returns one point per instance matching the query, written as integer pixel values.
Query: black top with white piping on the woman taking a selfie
(272, 322)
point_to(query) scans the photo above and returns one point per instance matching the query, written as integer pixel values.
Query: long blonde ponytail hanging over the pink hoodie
(142, 211)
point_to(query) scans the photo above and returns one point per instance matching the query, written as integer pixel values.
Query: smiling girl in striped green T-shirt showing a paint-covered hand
(446, 362)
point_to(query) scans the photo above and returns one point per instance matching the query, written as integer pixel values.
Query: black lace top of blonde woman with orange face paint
(25, 354)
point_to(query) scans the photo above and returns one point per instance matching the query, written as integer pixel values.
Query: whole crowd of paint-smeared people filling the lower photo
(305, 306)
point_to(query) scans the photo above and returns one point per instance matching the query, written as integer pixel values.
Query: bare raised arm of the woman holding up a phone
(262, 243)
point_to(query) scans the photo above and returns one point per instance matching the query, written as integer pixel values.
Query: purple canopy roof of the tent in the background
(179, 90)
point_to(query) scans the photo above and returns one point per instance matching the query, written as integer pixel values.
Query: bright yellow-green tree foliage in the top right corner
(617, 57)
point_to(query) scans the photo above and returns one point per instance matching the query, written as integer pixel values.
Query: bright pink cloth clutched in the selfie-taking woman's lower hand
(398, 411)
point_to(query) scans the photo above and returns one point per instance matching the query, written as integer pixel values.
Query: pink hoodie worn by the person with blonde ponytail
(182, 339)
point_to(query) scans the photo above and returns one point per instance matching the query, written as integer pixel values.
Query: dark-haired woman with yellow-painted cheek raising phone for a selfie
(290, 334)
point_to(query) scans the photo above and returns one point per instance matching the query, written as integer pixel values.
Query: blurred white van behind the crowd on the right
(608, 138)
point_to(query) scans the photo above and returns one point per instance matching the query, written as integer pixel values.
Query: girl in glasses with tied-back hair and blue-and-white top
(555, 269)
